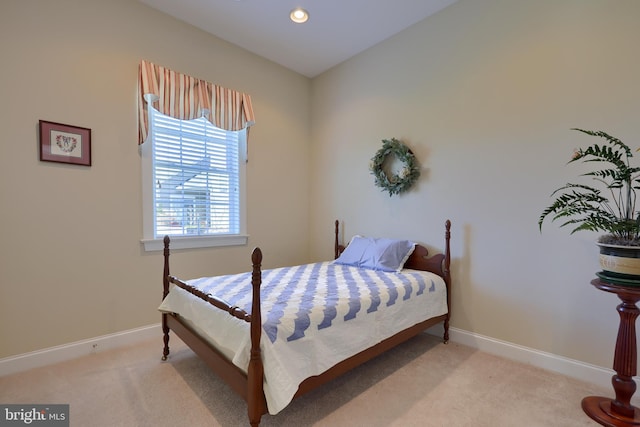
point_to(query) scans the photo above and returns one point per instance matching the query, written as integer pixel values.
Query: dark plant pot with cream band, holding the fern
(620, 263)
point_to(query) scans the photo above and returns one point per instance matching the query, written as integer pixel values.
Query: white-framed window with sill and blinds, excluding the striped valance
(193, 183)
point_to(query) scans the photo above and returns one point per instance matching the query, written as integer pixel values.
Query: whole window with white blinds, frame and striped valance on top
(193, 160)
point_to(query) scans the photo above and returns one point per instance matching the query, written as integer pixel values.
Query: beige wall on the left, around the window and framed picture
(70, 256)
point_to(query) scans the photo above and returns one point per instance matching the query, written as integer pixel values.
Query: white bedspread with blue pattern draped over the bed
(313, 317)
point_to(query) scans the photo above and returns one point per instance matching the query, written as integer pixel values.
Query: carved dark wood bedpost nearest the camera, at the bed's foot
(255, 372)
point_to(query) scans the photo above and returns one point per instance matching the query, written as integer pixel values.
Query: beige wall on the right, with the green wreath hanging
(485, 92)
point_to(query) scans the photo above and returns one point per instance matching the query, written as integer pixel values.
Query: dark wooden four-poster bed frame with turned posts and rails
(249, 385)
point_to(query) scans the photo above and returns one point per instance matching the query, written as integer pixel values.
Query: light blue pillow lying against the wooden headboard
(376, 253)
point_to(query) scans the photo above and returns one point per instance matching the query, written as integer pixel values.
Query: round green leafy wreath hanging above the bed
(402, 181)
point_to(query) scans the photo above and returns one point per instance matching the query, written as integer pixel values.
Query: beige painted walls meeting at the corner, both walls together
(485, 93)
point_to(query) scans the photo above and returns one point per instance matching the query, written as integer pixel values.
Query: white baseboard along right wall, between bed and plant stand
(551, 362)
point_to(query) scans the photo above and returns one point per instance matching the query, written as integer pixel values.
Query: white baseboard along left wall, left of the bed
(61, 353)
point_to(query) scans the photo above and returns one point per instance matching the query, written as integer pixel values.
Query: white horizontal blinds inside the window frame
(196, 177)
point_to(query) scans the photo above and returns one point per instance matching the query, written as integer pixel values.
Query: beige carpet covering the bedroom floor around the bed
(421, 383)
